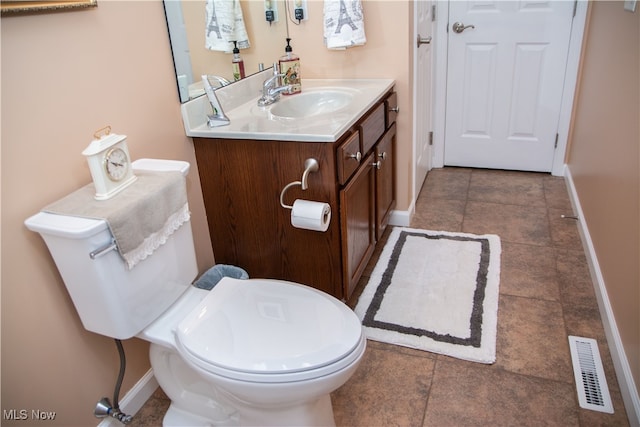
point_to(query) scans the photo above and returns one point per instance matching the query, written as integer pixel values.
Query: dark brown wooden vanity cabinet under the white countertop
(242, 181)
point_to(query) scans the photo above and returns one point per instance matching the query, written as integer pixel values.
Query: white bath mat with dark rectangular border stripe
(435, 291)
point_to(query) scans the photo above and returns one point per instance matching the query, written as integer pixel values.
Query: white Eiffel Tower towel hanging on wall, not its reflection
(343, 24)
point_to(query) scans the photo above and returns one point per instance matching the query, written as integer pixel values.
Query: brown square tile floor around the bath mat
(546, 294)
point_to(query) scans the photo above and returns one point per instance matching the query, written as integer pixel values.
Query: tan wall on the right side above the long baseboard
(604, 160)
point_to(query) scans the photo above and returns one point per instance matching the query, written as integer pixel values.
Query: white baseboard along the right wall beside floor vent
(621, 363)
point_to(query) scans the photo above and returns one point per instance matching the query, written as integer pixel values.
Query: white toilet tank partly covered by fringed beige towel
(111, 299)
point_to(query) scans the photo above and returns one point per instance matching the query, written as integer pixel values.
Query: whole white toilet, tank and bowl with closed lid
(247, 352)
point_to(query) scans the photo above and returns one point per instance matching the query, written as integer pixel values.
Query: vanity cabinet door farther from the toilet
(385, 179)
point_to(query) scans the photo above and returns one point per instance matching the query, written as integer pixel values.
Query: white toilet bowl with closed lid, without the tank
(254, 352)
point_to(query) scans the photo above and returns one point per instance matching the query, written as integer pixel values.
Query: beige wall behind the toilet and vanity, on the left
(64, 75)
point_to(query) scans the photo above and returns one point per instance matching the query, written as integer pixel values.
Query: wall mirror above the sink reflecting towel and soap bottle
(186, 21)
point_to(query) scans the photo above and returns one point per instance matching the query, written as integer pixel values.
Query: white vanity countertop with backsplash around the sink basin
(248, 121)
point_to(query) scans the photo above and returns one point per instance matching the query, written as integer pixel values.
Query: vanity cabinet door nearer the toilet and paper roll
(357, 221)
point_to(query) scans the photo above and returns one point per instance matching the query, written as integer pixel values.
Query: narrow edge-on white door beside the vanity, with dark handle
(422, 99)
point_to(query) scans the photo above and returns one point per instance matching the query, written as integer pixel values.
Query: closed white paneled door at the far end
(505, 76)
